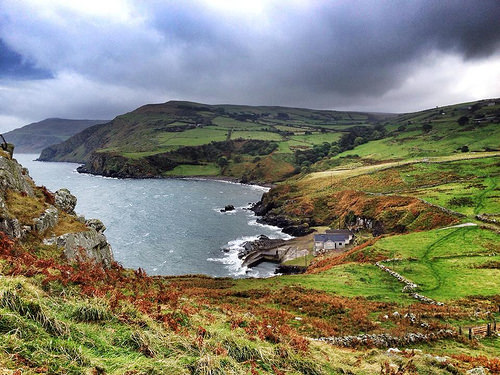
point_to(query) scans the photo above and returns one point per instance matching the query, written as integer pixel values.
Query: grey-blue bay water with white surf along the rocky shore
(165, 226)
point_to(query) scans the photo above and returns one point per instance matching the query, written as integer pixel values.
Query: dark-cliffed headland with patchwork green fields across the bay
(185, 138)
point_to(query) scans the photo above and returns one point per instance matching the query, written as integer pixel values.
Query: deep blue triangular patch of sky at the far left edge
(13, 65)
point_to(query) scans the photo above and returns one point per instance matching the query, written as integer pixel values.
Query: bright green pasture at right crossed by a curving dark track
(442, 262)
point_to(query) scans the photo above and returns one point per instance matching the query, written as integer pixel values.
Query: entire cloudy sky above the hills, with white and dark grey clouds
(96, 59)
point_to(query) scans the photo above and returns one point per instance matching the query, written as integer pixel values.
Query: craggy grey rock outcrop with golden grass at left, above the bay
(38, 218)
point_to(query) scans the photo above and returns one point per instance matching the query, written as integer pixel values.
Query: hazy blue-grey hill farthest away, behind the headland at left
(34, 137)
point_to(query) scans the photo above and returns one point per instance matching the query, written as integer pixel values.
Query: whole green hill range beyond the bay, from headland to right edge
(270, 144)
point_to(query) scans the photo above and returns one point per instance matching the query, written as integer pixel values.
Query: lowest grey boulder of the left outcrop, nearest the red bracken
(88, 245)
